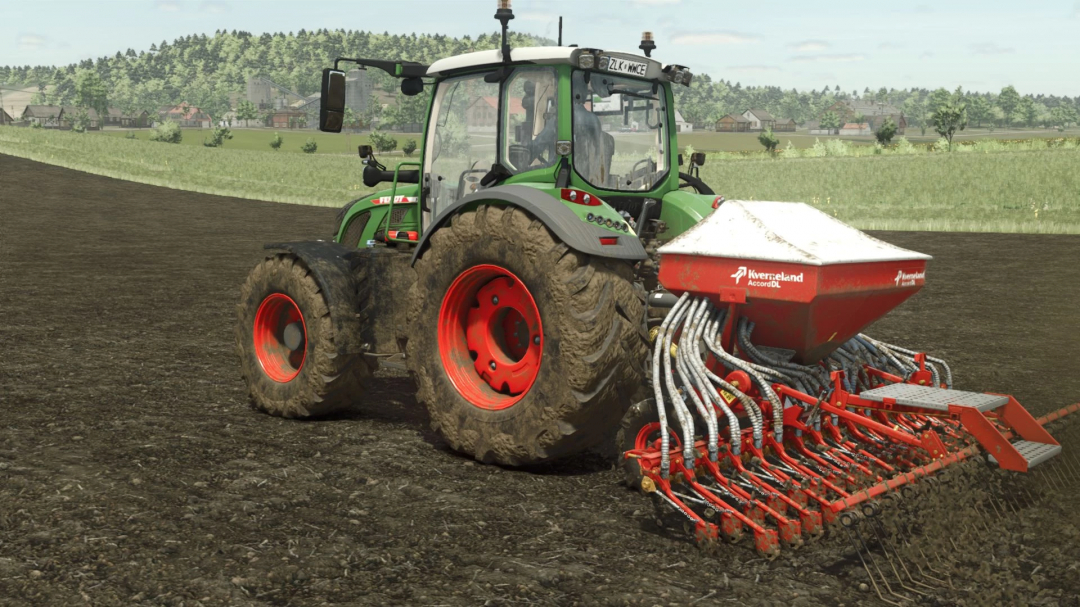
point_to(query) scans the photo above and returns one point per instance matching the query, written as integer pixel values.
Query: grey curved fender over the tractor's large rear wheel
(568, 226)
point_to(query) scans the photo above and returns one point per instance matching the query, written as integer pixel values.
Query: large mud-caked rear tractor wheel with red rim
(578, 346)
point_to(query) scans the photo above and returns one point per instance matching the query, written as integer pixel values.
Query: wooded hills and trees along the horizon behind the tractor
(211, 72)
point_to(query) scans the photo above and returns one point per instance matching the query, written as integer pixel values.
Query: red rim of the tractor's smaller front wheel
(278, 326)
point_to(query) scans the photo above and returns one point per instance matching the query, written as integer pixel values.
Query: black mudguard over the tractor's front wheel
(333, 267)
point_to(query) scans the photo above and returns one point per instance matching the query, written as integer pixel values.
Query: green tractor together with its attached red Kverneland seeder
(547, 268)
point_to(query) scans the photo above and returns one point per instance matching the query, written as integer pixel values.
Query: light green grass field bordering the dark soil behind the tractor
(1003, 192)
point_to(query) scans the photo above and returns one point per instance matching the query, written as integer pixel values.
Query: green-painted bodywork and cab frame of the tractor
(681, 210)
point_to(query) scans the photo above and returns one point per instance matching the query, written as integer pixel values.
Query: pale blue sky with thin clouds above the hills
(980, 45)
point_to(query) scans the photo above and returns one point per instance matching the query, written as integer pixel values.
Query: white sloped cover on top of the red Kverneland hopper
(782, 232)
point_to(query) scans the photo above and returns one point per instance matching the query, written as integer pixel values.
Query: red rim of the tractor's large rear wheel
(491, 339)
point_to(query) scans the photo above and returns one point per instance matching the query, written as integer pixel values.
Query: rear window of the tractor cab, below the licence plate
(620, 141)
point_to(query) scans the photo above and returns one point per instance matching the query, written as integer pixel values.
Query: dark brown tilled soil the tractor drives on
(133, 471)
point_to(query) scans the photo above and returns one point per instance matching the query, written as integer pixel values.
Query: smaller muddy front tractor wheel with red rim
(286, 343)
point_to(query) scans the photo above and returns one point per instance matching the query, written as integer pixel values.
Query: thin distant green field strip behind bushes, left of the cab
(259, 140)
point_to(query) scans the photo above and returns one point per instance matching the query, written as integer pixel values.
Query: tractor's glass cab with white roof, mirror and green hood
(553, 118)
